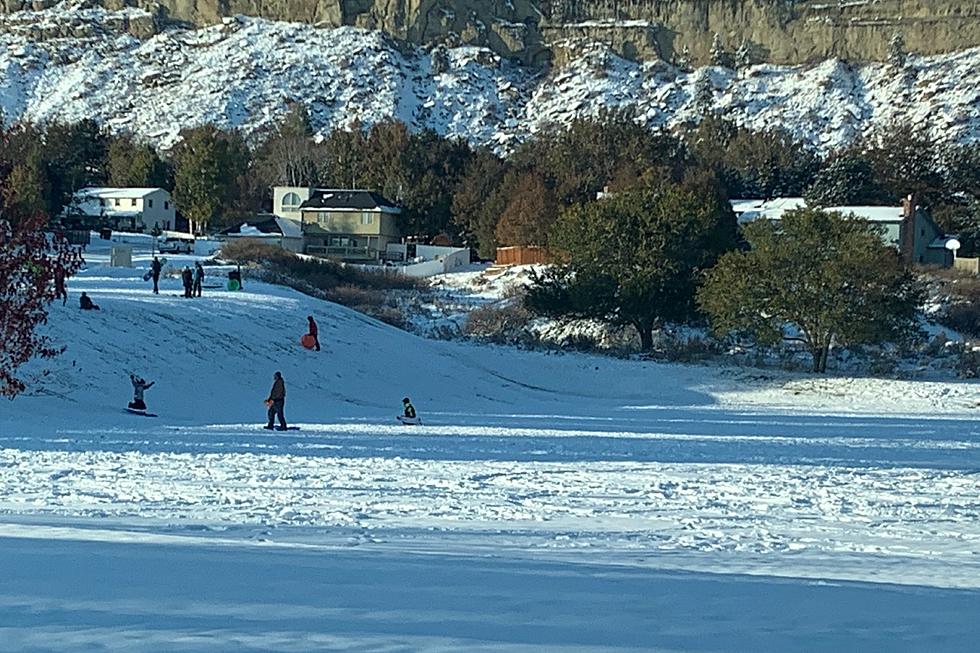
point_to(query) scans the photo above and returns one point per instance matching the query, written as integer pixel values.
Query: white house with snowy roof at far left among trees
(126, 209)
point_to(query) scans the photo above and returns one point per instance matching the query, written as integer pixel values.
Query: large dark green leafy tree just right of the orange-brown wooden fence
(635, 258)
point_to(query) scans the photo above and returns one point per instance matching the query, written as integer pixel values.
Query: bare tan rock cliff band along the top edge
(777, 31)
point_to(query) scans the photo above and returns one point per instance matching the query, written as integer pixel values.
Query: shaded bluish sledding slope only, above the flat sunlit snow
(212, 360)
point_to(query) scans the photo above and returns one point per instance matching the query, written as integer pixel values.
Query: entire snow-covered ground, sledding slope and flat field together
(549, 502)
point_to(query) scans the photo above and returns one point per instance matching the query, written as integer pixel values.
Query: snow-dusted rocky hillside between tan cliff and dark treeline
(245, 72)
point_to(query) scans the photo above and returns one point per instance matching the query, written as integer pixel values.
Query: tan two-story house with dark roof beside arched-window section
(351, 225)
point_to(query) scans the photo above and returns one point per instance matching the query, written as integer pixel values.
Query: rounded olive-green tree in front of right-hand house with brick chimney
(827, 275)
